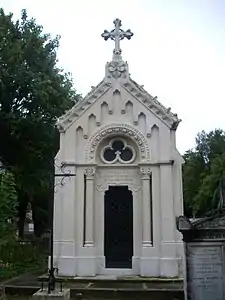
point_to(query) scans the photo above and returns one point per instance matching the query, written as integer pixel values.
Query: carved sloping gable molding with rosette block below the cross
(116, 70)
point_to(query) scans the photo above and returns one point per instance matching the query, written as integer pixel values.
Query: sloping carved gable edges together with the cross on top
(117, 78)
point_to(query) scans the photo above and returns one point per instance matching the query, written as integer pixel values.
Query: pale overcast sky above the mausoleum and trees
(177, 51)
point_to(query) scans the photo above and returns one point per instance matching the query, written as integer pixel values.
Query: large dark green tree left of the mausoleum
(34, 92)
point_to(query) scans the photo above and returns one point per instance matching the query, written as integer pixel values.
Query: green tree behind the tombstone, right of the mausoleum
(204, 167)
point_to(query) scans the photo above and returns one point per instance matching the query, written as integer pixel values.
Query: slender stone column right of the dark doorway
(147, 222)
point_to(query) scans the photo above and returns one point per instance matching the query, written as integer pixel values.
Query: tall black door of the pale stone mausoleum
(118, 227)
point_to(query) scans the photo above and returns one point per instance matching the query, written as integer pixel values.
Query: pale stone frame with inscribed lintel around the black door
(117, 176)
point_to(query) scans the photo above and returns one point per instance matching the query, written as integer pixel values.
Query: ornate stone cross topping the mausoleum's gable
(117, 34)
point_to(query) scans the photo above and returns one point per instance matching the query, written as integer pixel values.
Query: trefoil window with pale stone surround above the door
(118, 151)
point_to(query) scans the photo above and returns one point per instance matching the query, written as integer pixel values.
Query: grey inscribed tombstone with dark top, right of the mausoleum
(204, 241)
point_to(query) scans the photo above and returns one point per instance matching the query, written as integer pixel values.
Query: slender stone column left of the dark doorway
(89, 224)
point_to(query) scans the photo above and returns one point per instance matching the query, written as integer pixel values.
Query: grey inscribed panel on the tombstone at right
(205, 271)
